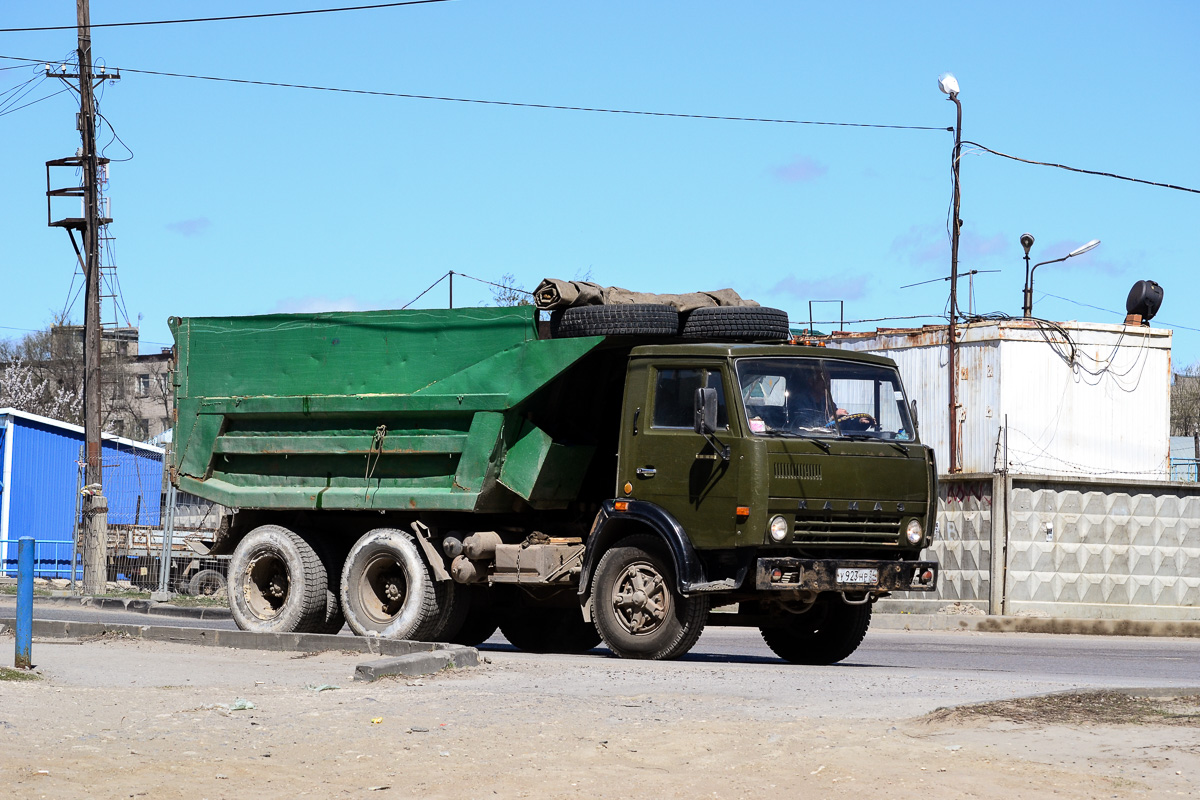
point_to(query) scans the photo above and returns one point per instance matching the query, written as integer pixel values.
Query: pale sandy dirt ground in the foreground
(128, 719)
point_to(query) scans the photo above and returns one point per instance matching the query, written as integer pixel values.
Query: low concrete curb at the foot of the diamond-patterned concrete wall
(986, 624)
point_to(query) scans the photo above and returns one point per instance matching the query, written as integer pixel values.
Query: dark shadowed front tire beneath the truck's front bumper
(826, 635)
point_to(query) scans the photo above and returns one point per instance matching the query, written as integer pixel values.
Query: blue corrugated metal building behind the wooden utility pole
(41, 480)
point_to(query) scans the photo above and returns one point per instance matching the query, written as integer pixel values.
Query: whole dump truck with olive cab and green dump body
(440, 474)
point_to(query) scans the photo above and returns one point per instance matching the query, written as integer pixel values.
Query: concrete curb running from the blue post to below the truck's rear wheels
(437, 655)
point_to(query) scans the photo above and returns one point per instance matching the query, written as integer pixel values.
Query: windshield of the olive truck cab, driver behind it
(824, 398)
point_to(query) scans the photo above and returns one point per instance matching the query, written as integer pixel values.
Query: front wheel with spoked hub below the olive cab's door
(637, 607)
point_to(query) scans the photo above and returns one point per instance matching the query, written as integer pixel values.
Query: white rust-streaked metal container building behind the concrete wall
(1075, 399)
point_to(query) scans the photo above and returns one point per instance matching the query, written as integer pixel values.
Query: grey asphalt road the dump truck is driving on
(1030, 659)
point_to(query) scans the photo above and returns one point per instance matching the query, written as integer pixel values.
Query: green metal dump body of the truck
(416, 411)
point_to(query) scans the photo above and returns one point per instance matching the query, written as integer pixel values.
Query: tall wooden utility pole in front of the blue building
(94, 506)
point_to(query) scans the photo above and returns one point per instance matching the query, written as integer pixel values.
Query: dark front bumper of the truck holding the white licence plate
(821, 575)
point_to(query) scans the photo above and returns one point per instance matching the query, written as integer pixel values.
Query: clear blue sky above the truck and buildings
(245, 200)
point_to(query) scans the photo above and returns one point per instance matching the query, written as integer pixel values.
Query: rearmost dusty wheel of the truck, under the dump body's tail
(277, 584)
